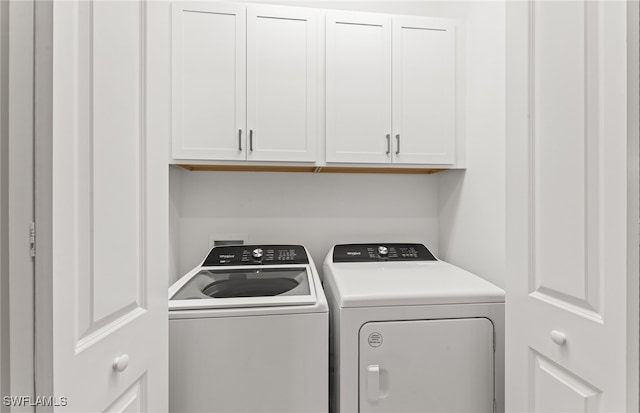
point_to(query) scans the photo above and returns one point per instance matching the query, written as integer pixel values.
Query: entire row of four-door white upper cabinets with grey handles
(247, 80)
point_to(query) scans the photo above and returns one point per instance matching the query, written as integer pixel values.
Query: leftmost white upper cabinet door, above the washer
(209, 78)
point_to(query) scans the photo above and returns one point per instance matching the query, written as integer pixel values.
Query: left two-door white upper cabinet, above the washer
(263, 108)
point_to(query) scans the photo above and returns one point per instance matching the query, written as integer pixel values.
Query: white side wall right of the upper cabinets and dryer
(471, 203)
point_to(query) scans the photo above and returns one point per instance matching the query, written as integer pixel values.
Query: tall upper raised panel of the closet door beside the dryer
(566, 167)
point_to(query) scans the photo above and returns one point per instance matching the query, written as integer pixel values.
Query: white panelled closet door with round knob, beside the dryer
(568, 348)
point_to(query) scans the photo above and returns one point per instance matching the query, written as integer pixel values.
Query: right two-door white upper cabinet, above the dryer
(390, 89)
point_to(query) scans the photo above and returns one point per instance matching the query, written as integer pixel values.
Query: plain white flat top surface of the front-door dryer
(374, 284)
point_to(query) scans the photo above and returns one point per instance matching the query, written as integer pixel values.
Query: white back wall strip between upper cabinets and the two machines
(316, 210)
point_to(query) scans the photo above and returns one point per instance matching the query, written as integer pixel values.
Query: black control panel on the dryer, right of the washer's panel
(381, 252)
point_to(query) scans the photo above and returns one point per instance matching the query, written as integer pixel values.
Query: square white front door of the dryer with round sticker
(427, 366)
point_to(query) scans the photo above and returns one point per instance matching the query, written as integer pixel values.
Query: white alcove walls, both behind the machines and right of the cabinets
(458, 214)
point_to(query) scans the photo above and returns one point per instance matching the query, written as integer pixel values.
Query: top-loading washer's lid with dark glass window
(215, 287)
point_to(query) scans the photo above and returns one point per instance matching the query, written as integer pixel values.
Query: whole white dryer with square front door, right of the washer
(411, 333)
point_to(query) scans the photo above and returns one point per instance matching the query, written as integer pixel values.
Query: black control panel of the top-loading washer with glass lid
(256, 255)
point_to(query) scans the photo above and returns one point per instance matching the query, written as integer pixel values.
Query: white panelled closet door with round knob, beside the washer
(109, 208)
